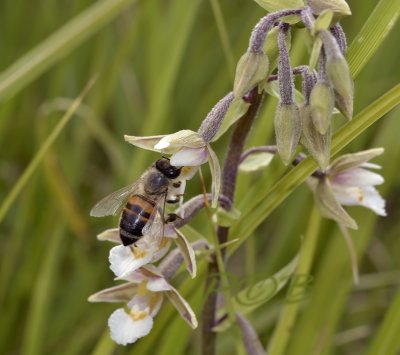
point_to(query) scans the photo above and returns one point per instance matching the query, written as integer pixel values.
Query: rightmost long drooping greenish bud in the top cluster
(338, 73)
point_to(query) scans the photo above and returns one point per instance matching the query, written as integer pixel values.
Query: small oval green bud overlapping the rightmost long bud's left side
(321, 104)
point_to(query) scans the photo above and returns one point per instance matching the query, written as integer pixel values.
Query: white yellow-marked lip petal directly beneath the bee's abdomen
(124, 260)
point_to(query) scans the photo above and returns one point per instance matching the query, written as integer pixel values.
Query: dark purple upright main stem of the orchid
(229, 177)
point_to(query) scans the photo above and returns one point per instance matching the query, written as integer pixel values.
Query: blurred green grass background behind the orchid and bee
(160, 67)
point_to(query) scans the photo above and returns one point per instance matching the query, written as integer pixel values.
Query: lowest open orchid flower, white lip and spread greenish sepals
(143, 292)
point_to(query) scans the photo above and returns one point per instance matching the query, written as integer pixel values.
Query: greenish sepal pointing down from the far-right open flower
(329, 205)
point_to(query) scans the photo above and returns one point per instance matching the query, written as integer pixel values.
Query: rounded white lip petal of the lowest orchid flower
(125, 329)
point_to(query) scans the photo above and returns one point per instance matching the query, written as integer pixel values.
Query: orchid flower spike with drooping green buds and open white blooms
(301, 118)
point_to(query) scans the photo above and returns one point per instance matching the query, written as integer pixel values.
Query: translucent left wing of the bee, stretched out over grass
(112, 203)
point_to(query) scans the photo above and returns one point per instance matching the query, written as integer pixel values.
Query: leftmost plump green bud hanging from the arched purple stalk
(251, 70)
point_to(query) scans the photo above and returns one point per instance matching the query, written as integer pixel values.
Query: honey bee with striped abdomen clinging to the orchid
(144, 202)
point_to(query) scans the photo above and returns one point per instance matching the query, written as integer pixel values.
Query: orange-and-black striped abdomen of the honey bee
(134, 217)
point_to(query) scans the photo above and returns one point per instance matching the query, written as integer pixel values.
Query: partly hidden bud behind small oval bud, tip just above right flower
(317, 144)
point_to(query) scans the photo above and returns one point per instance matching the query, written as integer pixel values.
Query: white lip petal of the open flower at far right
(367, 196)
